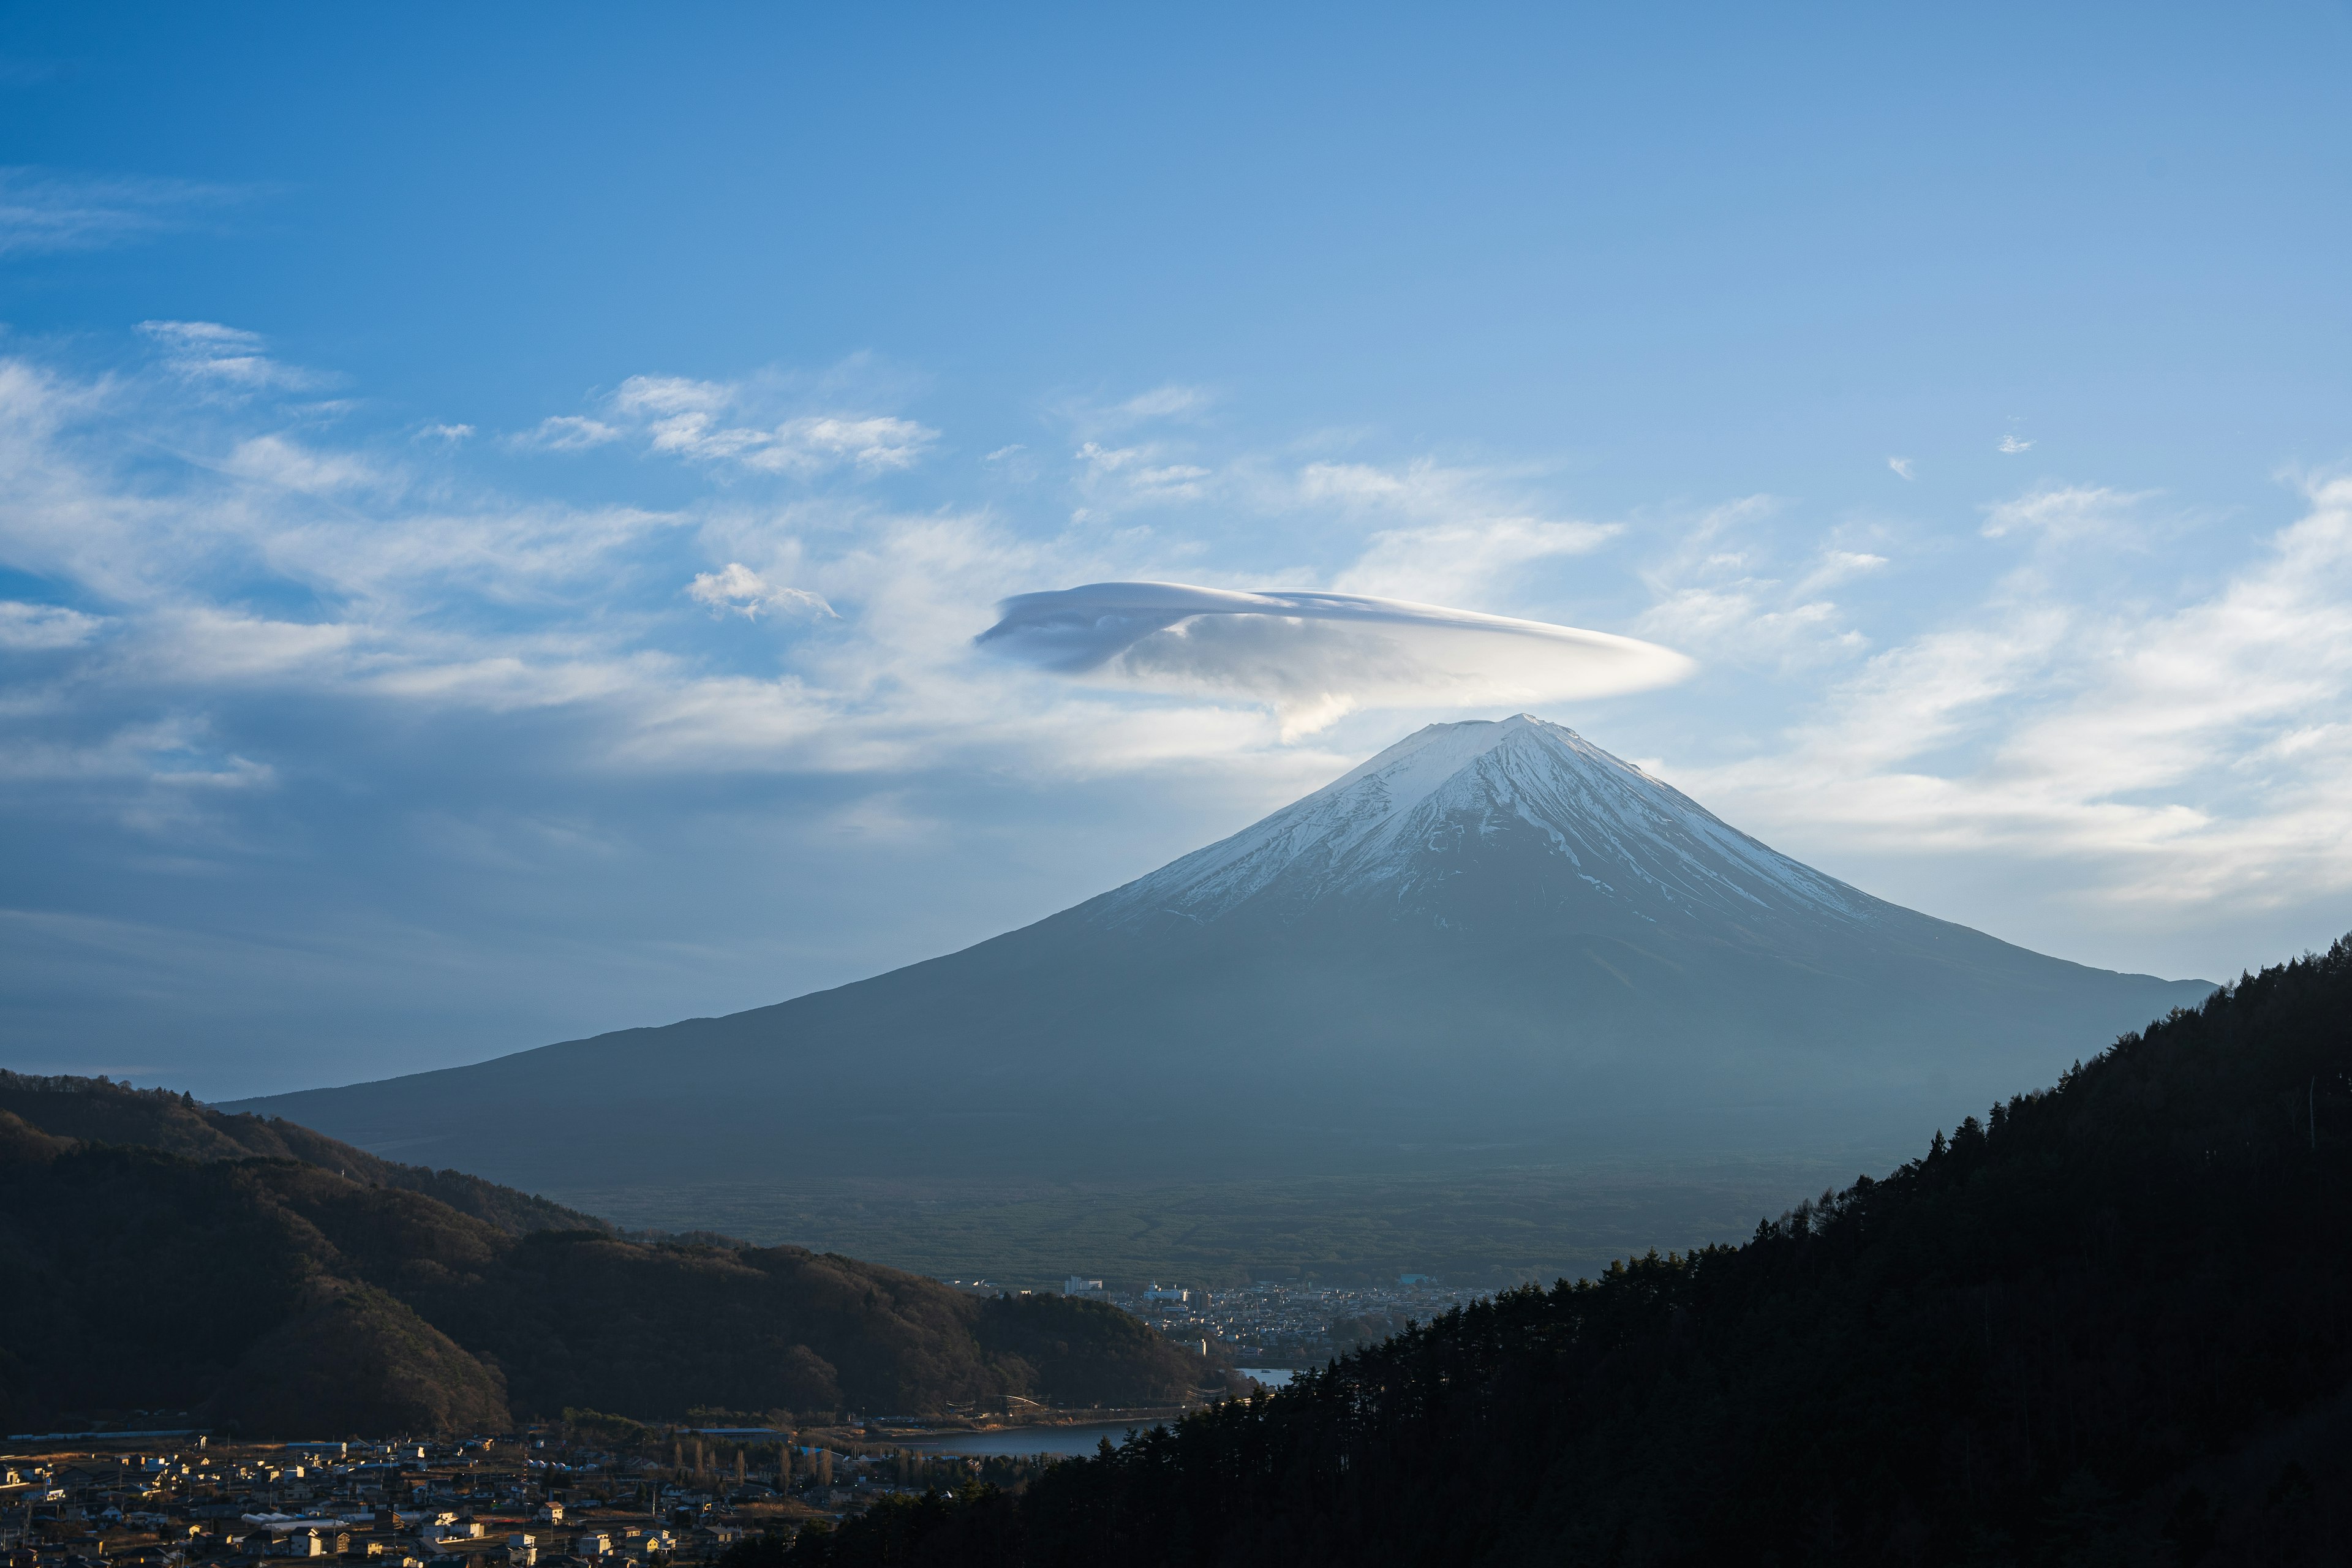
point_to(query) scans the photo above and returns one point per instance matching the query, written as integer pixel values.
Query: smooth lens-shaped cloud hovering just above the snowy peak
(1316, 657)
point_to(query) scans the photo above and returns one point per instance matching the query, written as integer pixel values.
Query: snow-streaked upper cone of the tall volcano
(1492, 800)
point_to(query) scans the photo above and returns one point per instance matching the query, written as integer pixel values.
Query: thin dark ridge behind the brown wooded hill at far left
(175, 1123)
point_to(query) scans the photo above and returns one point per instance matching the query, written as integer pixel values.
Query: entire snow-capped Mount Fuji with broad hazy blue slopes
(1492, 942)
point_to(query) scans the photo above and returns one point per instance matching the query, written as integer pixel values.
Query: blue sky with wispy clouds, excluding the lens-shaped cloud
(495, 509)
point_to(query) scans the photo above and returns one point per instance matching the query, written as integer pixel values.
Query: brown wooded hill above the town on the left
(283, 1285)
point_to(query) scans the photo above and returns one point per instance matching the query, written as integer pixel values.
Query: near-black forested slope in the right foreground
(2109, 1325)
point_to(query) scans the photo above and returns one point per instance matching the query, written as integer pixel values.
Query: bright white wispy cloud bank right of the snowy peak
(2172, 758)
